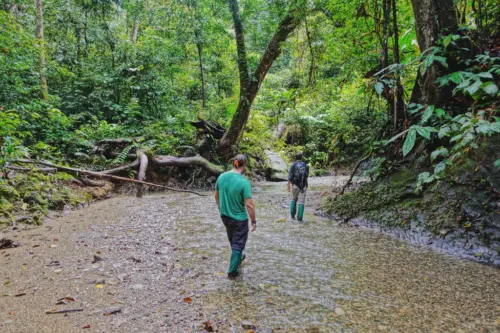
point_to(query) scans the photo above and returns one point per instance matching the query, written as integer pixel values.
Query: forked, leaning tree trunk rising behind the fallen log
(249, 86)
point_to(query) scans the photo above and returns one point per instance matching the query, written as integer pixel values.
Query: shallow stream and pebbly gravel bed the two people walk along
(167, 255)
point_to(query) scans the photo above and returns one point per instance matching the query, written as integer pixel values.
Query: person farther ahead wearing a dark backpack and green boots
(297, 184)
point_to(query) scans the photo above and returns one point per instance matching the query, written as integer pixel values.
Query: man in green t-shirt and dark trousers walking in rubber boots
(233, 196)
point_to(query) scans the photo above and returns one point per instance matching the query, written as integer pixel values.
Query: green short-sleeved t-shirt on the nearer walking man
(233, 189)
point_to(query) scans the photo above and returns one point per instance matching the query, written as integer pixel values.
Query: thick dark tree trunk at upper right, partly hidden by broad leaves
(431, 18)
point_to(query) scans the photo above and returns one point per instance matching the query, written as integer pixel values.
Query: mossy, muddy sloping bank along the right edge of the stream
(460, 219)
